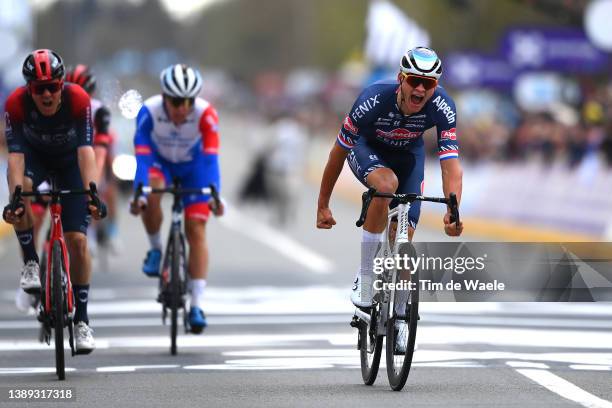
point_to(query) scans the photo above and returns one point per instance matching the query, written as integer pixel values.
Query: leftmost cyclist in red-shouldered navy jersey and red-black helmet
(48, 130)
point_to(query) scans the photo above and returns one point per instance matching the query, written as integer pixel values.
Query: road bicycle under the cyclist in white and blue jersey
(174, 277)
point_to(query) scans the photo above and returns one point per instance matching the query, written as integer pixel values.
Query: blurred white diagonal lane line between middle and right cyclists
(276, 240)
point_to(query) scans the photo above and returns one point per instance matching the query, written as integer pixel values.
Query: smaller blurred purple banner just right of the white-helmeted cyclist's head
(470, 69)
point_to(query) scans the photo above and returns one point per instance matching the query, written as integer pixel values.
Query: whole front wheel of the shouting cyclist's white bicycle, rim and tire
(399, 361)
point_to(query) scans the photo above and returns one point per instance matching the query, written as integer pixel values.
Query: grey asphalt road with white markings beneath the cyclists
(278, 333)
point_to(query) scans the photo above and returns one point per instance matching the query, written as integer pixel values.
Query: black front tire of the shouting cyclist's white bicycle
(398, 370)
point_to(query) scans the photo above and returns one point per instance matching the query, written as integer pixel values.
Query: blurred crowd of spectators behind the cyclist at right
(566, 134)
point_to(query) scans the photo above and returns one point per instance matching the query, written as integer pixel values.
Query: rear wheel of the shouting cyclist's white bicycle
(370, 346)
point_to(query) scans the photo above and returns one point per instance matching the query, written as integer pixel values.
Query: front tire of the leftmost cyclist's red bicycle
(58, 309)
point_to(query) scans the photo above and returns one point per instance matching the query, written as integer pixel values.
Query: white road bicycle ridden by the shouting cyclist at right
(391, 306)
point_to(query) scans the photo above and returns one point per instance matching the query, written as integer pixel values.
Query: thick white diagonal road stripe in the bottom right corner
(564, 388)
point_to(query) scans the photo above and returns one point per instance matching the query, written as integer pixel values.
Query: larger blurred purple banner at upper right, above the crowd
(556, 49)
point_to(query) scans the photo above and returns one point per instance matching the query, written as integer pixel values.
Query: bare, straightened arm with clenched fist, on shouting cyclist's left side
(332, 171)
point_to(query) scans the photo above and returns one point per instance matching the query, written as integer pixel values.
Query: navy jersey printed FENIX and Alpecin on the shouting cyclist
(376, 117)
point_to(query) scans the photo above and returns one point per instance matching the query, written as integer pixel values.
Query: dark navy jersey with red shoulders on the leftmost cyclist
(58, 135)
